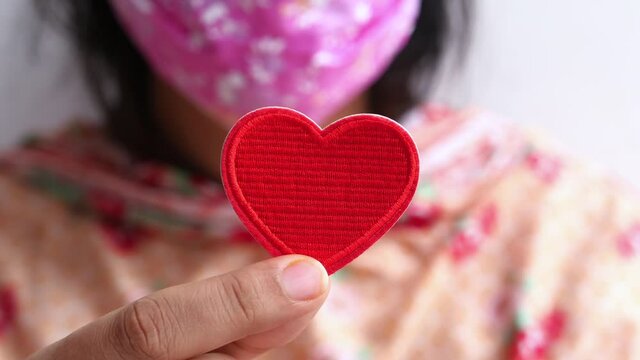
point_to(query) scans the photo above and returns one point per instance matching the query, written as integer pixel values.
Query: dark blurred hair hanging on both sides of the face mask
(120, 78)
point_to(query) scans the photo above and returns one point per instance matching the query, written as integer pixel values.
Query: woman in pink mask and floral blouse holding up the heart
(508, 250)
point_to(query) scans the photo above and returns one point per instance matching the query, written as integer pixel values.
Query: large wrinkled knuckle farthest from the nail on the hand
(142, 332)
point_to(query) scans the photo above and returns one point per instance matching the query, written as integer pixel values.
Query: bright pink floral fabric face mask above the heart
(233, 56)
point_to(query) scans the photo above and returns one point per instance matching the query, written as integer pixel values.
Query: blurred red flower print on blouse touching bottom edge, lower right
(534, 343)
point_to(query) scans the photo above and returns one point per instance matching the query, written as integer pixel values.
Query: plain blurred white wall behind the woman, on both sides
(569, 67)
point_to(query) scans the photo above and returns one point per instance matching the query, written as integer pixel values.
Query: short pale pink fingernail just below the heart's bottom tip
(303, 280)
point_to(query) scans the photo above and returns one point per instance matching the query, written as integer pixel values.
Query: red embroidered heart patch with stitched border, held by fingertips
(329, 194)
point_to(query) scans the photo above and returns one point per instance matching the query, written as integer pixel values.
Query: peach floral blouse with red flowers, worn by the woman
(508, 251)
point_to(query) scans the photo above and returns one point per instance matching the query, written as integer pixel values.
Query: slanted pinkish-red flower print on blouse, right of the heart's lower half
(473, 233)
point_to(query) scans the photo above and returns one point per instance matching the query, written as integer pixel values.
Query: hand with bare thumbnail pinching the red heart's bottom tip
(238, 315)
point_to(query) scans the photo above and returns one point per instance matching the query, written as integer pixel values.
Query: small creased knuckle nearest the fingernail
(237, 299)
